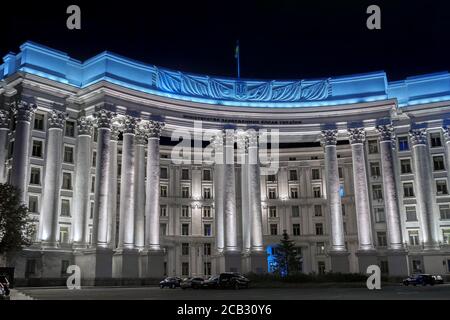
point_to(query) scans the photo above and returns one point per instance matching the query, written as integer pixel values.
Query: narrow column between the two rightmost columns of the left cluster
(139, 213)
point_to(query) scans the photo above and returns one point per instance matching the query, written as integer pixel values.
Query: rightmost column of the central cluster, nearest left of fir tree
(258, 256)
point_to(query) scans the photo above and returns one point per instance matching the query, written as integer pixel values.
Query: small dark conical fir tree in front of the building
(286, 261)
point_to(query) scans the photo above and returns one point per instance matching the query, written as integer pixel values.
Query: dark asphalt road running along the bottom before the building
(438, 292)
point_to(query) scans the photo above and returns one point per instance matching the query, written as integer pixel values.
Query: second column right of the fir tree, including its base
(366, 253)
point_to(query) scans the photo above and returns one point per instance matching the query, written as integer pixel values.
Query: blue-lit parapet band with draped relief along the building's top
(58, 66)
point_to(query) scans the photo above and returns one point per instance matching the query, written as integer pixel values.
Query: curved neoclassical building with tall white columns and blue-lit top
(134, 171)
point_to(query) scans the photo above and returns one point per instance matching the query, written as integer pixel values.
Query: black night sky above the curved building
(278, 39)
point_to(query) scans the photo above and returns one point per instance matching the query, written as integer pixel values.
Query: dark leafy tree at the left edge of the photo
(16, 228)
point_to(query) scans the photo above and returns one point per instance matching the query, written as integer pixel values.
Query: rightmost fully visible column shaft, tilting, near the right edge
(424, 189)
